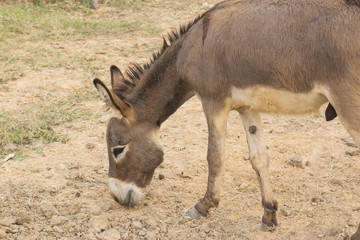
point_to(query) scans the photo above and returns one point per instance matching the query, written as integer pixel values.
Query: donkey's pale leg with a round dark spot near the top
(260, 163)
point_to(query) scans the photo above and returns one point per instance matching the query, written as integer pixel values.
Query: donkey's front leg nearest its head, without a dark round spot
(216, 116)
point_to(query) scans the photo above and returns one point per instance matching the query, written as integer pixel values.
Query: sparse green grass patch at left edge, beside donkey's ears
(33, 126)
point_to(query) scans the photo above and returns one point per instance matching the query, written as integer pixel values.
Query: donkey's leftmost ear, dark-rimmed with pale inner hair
(119, 107)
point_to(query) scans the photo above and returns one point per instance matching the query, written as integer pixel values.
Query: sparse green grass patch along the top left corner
(38, 22)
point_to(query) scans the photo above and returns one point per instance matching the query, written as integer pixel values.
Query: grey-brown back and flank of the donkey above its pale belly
(295, 46)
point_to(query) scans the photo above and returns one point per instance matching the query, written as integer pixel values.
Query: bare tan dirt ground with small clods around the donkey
(61, 193)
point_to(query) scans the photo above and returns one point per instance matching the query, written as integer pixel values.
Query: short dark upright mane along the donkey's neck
(133, 73)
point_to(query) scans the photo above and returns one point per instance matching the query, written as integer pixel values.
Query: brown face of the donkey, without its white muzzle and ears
(133, 152)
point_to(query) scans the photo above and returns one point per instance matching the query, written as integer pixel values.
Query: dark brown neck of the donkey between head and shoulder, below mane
(161, 91)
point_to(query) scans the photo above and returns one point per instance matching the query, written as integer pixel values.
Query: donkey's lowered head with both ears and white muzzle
(133, 147)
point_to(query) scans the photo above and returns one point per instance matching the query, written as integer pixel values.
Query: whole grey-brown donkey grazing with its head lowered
(252, 56)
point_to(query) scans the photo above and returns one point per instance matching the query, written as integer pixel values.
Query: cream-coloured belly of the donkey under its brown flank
(270, 100)
